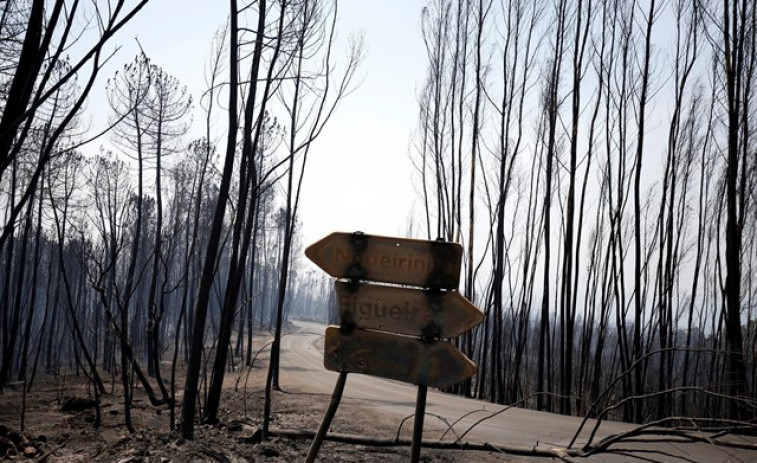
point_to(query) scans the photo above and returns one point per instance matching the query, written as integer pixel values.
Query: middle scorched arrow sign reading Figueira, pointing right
(411, 311)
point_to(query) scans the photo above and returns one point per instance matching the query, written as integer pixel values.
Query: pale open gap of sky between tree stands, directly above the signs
(361, 174)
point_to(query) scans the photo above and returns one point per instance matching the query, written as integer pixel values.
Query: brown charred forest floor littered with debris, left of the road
(49, 434)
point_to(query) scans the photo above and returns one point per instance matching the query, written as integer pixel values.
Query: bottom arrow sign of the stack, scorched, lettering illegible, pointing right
(437, 364)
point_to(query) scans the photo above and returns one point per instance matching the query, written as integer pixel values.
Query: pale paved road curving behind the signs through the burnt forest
(303, 371)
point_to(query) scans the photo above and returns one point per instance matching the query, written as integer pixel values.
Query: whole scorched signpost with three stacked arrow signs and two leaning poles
(394, 331)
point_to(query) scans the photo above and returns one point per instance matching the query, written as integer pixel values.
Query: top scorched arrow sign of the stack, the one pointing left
(430, 264)
